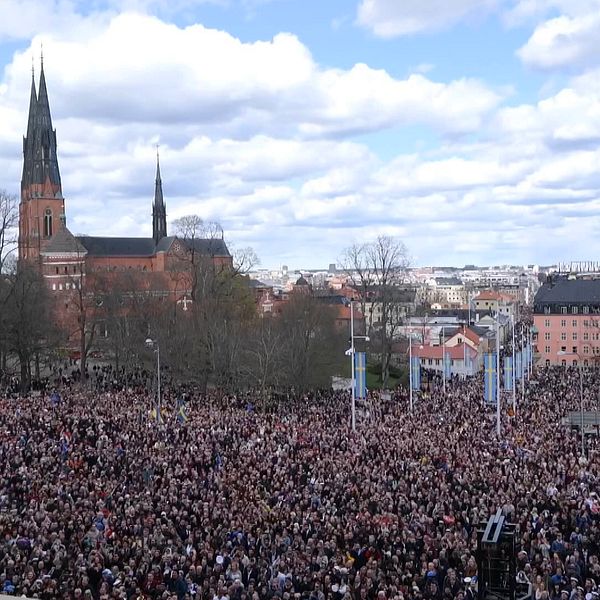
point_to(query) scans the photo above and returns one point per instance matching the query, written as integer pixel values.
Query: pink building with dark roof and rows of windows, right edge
(567, 321)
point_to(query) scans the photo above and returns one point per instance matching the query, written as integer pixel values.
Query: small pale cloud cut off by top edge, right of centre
(391, 18)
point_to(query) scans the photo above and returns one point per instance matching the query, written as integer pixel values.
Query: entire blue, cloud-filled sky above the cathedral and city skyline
(469, 129)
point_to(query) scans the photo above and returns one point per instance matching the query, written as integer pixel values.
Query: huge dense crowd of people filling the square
(223, 499)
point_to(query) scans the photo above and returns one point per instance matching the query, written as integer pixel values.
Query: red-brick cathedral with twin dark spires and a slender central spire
(63, 258)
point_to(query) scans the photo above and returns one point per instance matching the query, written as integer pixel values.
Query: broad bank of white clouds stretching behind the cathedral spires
(262, 137)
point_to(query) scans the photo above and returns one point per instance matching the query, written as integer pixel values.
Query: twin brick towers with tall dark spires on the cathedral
(42, 206)
